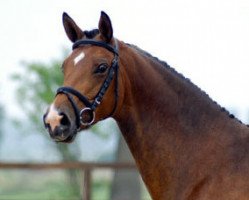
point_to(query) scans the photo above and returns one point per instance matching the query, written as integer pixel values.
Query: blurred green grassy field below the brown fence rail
(51, 185)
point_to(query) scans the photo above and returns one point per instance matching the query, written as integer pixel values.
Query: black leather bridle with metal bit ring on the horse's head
(89, 110)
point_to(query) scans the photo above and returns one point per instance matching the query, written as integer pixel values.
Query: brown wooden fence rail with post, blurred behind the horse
(86, 167)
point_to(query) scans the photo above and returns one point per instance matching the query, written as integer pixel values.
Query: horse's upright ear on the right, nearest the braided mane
(105, 27)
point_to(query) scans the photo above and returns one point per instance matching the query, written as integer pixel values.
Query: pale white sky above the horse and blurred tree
(206, 40)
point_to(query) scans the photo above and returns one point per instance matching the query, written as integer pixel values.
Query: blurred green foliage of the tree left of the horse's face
(36, 87)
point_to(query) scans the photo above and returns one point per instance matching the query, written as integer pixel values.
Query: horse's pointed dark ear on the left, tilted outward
(73, 32)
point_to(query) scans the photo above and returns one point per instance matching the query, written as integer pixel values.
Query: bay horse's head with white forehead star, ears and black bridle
(89, 92)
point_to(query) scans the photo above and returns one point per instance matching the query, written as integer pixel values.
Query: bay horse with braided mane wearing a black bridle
(185, 145)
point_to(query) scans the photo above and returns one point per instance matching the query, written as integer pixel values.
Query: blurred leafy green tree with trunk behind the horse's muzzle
(36, 88)
